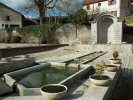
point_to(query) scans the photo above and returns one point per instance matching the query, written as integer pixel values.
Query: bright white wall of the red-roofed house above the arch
(120, 7)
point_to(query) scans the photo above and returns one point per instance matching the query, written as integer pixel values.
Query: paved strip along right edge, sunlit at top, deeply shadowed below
(124, 89)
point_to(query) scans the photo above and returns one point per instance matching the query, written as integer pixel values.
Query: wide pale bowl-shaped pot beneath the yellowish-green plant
(103, 81)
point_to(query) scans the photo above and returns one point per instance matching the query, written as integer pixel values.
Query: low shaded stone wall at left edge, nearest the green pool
(6, 67)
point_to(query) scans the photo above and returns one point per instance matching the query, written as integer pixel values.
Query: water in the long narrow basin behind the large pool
(85, 58)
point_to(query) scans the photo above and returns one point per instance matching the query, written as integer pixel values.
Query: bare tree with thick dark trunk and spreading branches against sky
(41, 6)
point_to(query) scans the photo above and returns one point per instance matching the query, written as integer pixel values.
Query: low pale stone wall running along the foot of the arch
(105, 47)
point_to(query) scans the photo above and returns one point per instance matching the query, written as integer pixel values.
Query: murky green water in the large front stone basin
(50, 75)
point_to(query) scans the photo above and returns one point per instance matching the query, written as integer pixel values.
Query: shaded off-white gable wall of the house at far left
(15, 18)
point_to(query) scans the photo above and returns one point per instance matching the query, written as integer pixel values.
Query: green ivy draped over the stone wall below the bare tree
(39, 31)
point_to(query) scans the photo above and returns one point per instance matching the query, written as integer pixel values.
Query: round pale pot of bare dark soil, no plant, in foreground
(53, 91)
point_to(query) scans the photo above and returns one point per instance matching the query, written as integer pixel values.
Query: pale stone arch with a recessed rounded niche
(104, 29)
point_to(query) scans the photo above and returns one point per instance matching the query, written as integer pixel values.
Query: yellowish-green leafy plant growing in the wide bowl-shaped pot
(100, 67)
